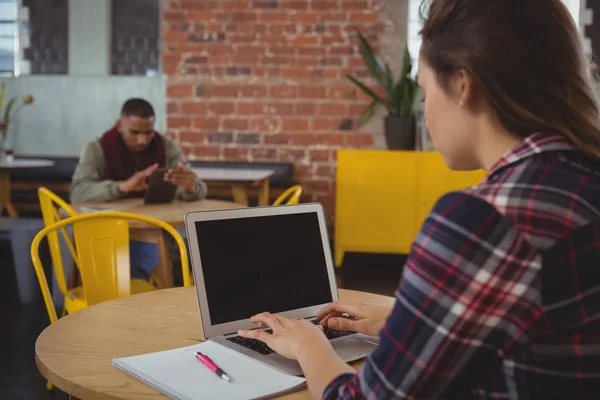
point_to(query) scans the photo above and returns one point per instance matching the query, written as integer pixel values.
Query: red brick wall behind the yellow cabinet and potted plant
(265, 80)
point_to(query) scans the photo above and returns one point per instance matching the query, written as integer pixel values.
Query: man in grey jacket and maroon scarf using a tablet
(119, 163)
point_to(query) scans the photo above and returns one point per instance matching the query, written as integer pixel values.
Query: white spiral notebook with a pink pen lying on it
(178, 374)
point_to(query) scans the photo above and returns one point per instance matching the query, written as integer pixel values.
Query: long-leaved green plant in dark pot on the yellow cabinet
(398, 99)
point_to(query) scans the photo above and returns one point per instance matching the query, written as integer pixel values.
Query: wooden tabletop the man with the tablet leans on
(171, 213)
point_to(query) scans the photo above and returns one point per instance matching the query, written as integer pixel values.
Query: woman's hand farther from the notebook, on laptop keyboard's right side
(365, 317)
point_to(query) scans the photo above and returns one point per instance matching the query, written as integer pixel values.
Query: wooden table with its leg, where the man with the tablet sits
(172, 213)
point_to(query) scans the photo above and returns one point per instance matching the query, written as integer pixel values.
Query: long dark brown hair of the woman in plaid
(526, 59)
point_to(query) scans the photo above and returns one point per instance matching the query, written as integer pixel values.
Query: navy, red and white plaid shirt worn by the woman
(500, 296)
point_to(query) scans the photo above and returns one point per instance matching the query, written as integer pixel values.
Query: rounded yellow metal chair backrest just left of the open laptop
(102, 240)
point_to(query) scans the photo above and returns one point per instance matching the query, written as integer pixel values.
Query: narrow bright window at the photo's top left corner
(8, 37)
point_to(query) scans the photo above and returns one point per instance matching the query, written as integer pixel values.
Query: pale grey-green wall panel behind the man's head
(71, 110)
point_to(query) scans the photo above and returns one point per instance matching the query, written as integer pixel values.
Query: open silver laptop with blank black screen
(274, 259)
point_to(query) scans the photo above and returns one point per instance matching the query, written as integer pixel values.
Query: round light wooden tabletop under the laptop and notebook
(75, 353)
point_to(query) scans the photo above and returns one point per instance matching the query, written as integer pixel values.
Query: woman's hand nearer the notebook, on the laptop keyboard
(290, 337)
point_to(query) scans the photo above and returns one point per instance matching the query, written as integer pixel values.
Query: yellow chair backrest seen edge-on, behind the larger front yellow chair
(51, 206)
